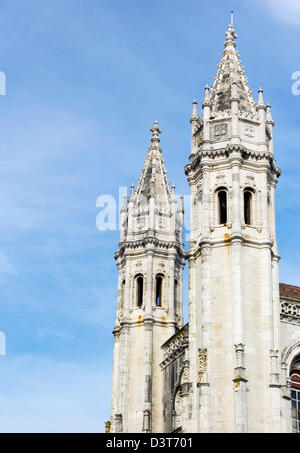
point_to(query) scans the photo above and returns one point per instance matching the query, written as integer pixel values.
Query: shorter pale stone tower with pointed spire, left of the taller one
(150, 261)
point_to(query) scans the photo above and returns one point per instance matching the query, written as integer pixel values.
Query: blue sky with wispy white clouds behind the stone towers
(85, 81)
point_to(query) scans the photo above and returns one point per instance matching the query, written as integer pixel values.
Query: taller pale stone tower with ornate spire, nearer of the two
(234, 310)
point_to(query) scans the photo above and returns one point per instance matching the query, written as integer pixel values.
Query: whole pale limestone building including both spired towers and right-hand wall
(228, 369)
